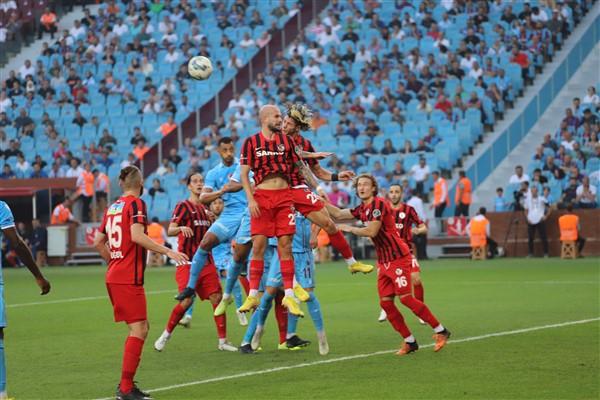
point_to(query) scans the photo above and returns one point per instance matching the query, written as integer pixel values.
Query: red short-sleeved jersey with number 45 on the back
(127, 259)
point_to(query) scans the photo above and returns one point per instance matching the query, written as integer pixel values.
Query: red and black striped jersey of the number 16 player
(388, 244)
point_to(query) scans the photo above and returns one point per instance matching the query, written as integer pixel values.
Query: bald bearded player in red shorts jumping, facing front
(270, 155)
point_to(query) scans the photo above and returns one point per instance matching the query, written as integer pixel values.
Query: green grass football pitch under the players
(66, 345)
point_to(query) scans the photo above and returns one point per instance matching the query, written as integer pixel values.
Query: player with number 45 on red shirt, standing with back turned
(123, 228)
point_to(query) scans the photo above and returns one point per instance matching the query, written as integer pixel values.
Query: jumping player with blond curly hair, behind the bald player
(299, 118)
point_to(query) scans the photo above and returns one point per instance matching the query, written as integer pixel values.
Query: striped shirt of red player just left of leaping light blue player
(193, 216)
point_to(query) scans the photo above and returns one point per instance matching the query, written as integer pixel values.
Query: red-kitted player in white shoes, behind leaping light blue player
(189, 223)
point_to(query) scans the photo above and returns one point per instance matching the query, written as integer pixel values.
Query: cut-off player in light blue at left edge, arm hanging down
(7, 225)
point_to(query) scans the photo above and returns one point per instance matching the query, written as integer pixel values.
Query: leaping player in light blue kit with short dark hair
(219, 185)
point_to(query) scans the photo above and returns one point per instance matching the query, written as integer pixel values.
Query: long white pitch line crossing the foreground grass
(364, 355)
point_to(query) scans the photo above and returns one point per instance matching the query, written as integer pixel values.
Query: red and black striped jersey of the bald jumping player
(266, 157)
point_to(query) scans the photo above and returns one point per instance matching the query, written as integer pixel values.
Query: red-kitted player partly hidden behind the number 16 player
(407, 217)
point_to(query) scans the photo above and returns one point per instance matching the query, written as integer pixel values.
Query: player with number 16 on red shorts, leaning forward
(393, 261)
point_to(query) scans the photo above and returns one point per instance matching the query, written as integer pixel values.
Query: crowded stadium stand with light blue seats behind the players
(428, 77)
